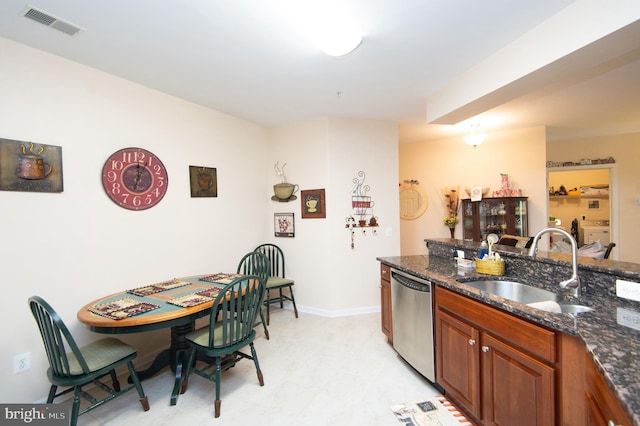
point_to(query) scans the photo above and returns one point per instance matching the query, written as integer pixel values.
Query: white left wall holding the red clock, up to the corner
(76, 246)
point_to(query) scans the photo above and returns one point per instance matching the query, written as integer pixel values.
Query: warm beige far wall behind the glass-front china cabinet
(451, 162)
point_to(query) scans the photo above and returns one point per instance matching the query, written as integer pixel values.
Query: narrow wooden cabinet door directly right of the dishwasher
(457, 361)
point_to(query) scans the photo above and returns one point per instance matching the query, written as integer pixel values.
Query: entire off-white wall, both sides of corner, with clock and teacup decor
(76, 246)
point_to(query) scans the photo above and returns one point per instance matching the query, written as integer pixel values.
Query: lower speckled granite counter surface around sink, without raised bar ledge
(614, 348)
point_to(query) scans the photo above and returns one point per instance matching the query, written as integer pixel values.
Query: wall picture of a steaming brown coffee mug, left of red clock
(30, 166)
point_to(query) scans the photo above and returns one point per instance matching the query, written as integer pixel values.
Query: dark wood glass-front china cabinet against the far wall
(498, 216)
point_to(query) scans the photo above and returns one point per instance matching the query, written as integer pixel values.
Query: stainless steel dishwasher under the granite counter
(412, 321)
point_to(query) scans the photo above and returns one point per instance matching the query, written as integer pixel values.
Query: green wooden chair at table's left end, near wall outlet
(74, 367)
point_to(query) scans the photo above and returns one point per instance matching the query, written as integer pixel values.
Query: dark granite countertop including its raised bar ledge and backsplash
(615, 348)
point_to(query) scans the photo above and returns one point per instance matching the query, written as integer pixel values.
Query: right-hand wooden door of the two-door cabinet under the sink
(517, 389)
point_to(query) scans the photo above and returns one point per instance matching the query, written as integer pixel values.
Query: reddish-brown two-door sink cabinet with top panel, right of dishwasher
(497, 368)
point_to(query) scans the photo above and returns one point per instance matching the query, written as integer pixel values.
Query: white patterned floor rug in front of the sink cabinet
(437, 411)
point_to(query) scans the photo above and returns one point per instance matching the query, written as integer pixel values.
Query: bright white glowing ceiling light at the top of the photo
(326, 22)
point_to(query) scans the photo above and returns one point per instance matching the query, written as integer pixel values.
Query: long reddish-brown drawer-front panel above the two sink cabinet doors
(535, 340)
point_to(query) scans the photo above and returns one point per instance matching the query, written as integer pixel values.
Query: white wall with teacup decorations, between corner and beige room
(328, 153)
